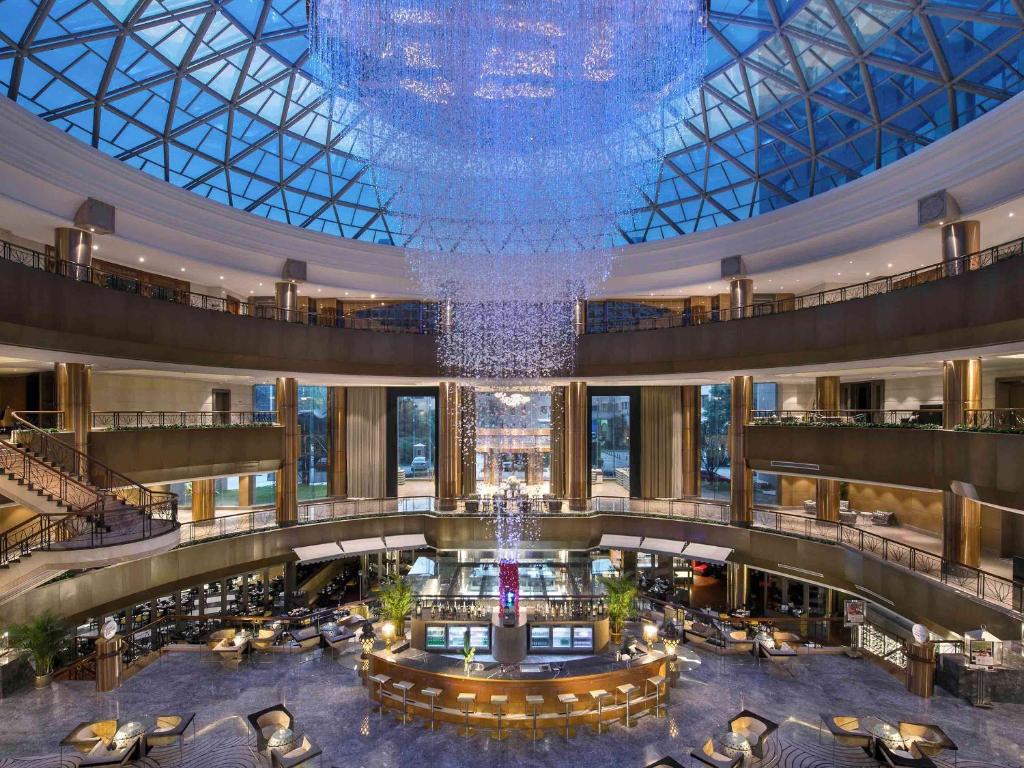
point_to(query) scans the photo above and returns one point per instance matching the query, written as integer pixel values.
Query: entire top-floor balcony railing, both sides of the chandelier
(421, 318)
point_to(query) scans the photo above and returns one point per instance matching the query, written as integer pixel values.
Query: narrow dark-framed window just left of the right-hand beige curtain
(610, 445)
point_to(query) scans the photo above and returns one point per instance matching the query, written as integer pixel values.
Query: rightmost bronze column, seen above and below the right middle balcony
(961, 517)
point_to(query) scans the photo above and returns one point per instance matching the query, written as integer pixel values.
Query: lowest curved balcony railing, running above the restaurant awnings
(986, 586)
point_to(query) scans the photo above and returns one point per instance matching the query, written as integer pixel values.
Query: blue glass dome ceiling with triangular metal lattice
(800, 97)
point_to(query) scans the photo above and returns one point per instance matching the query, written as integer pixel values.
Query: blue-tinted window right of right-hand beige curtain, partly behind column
(715, 415)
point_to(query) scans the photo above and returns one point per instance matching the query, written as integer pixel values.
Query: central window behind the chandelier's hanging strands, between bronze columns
(514, 439)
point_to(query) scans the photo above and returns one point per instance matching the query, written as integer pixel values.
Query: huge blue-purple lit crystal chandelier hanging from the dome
(506, 139)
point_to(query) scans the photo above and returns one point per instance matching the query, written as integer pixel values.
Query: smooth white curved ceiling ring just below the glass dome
(49, 175)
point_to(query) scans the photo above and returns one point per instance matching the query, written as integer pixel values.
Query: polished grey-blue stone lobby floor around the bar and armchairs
(329, 704)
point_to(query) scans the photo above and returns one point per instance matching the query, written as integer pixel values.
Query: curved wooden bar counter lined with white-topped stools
(538, 696)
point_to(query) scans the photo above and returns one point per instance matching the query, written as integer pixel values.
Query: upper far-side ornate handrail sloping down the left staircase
(159, 504)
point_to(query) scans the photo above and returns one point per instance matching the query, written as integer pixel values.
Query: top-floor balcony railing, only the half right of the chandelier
(874, 287)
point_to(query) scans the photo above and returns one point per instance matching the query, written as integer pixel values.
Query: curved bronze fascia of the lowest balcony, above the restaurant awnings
(915, 596)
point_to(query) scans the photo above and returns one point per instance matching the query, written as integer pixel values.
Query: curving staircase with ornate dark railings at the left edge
(89, 516)
